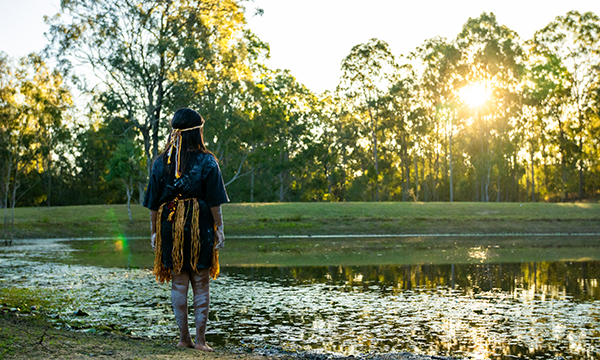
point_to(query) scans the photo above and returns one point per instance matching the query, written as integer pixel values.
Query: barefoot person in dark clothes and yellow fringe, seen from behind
(184, 195)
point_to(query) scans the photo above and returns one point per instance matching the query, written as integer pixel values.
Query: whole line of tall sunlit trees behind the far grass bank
(486, 116)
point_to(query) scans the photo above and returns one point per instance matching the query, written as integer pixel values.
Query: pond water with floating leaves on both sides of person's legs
(485, 310)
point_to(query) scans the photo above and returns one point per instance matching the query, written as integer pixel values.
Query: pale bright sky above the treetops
(312, 37)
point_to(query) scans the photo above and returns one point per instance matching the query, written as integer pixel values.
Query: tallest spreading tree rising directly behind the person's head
(142, 52)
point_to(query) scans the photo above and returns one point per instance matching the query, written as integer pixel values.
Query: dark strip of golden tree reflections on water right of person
(548, 280)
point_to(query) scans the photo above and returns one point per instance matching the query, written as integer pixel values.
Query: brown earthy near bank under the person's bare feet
(32, 337)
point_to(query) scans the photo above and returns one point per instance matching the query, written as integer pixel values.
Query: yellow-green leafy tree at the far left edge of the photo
(34, 105)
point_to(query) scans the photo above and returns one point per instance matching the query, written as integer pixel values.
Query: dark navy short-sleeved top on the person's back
(201, 179)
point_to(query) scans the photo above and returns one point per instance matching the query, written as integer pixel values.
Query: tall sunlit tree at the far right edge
(574, 40)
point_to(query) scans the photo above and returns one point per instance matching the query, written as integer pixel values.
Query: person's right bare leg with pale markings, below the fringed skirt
(200, 287)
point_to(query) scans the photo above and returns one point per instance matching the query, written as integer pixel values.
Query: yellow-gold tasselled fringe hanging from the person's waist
(163, 273)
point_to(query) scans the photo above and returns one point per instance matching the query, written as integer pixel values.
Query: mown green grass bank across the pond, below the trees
(323, 218)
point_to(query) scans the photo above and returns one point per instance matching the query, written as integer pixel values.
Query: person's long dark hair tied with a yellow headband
(191, 141)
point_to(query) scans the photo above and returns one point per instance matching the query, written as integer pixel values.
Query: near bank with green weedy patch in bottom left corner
(30, 333)
